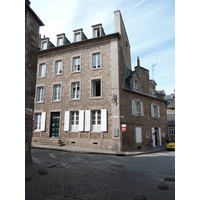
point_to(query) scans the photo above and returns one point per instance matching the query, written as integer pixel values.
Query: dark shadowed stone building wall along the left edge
(32, 24)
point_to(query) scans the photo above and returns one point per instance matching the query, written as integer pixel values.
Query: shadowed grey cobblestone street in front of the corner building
(90, 176)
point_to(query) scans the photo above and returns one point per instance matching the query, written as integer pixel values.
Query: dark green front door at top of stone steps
(55, 124)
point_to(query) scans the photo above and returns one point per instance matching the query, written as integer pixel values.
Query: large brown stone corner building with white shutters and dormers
(86, 91)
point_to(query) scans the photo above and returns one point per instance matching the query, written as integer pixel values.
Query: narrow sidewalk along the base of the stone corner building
(99, 151)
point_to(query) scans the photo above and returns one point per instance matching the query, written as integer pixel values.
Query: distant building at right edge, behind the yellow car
(171, 115)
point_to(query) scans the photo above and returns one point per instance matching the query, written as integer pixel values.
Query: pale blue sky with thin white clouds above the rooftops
(150, 25)
